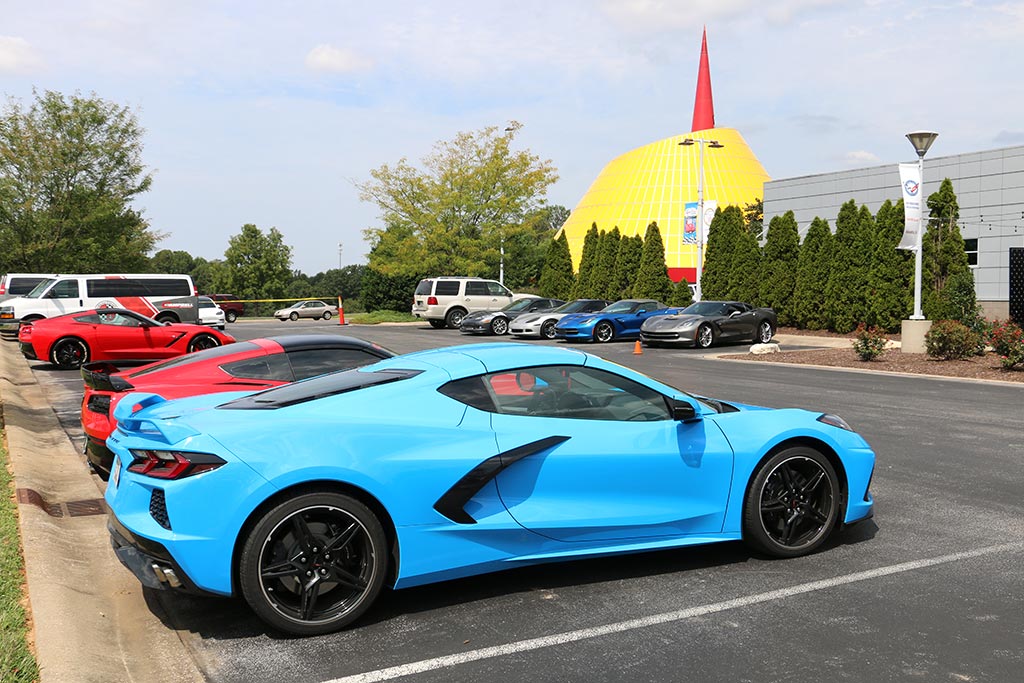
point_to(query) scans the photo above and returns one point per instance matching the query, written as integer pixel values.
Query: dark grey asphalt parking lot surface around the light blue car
(932, 589)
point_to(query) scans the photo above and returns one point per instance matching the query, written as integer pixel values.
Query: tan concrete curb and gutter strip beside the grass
(92, 619)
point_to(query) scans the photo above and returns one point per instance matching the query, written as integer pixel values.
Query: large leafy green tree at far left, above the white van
(70, 168)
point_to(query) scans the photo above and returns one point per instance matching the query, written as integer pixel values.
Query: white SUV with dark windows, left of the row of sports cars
(445, 302)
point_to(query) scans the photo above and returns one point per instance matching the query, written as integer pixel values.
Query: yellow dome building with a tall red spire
(657, 183)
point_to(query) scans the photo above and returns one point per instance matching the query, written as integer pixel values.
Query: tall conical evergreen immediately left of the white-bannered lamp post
(891, 279)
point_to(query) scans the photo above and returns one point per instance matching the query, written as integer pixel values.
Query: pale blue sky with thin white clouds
(271, 112)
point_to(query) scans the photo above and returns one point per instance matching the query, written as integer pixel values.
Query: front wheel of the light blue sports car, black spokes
(792, 504)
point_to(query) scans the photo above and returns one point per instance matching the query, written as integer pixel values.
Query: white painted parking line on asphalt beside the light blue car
(585, 634)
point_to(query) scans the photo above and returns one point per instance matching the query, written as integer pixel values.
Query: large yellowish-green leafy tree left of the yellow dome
(452, 217)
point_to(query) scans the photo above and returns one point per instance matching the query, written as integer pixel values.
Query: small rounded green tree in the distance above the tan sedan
(258, 266)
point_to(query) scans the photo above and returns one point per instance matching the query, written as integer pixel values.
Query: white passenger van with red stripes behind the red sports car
(166, 298)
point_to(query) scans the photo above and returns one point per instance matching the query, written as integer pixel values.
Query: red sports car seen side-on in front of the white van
(112, 334)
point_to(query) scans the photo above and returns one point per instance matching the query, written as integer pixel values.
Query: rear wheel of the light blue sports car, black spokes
(315, 564)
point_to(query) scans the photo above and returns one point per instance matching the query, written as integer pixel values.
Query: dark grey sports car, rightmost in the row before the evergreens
(708, 323)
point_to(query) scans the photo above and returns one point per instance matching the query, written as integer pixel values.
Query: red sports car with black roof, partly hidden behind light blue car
(244, 366)
